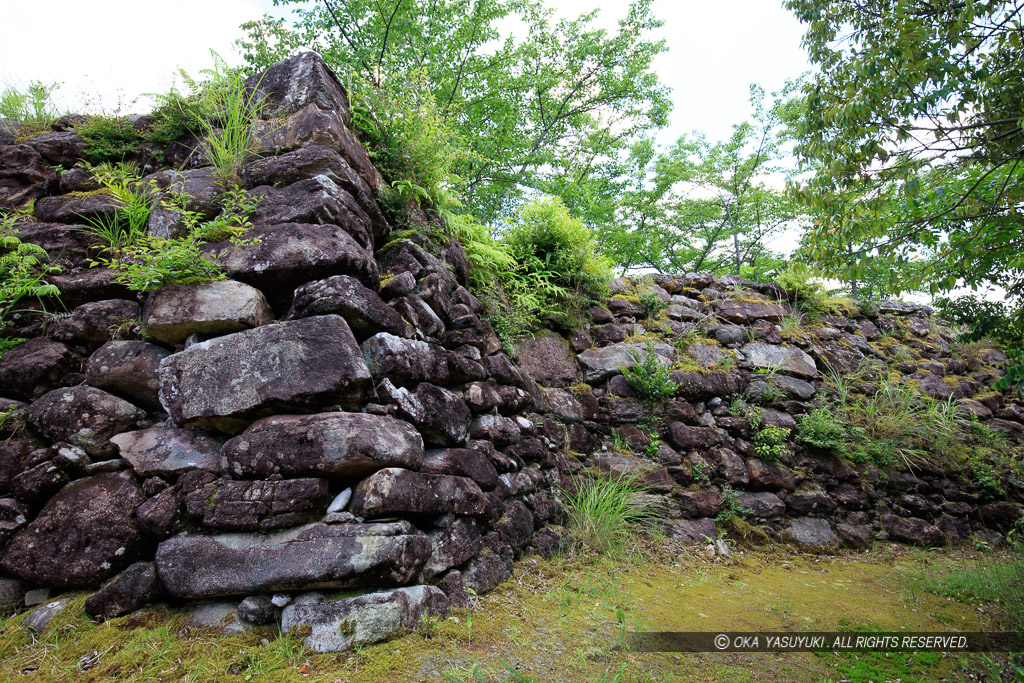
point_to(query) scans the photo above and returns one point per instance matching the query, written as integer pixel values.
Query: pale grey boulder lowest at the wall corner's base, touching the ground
(334, 626)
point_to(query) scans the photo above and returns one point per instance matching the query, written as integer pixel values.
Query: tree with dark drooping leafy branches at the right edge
(913, 131)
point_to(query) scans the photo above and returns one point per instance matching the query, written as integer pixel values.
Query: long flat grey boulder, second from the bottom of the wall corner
(316, 557)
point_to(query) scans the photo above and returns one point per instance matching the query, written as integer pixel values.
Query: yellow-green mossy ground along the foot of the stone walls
(562, 620)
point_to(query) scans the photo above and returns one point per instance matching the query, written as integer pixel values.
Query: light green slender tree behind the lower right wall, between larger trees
(702, 205)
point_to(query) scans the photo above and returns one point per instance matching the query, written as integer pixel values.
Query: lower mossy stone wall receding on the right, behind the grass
(727, 347)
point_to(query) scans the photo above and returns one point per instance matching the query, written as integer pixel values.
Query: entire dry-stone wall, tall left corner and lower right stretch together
(337, 416)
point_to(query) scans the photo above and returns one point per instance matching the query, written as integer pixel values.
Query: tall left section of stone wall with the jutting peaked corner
(335, 416)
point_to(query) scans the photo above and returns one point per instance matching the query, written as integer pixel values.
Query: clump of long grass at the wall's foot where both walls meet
(604, 513)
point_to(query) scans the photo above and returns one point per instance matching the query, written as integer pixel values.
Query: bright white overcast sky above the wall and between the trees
(113, 52)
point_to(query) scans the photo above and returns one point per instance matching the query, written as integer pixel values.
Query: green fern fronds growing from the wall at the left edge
(23, 271)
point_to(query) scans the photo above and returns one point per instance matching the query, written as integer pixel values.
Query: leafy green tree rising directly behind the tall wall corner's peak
(523, 103)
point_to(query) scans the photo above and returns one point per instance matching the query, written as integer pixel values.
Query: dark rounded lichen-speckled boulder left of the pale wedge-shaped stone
(86, 417)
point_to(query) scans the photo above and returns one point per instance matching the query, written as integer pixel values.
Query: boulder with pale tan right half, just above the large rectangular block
(176, 313)
